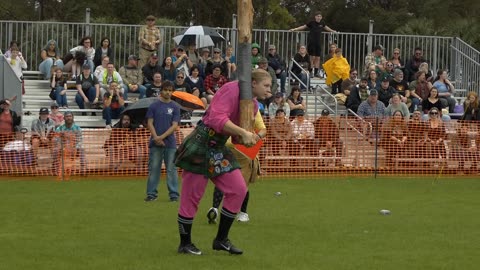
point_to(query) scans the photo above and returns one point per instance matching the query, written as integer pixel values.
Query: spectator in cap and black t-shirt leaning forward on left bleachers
(88, 88)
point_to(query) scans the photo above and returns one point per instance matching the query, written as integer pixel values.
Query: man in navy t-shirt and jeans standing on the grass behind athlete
(163, 117)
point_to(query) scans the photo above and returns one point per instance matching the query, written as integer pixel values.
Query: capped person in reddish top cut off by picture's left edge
(9, 122)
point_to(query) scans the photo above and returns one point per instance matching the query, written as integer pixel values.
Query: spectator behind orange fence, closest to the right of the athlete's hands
(280, 137)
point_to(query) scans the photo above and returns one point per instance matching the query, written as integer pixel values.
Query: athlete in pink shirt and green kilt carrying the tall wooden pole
(203, 155)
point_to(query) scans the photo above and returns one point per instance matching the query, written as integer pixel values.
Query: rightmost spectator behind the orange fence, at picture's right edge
(463, 149)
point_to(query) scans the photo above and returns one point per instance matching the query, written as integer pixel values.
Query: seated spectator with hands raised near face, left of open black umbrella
(113, 103)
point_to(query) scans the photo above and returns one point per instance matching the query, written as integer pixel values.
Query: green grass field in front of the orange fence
(314, 224)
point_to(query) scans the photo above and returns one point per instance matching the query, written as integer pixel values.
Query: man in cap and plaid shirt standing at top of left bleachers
(150, 38)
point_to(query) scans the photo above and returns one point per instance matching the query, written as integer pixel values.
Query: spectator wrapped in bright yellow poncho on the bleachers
(337, 69)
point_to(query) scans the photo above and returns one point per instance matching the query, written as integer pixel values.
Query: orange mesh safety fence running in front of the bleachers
(315, 147)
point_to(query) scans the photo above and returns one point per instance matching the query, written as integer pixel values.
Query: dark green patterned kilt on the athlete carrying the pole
(204, 152)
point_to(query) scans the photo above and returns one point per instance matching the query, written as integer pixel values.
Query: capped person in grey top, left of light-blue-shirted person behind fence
(42, 130)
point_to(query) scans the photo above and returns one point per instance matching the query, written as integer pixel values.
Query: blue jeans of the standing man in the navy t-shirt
(156, 157)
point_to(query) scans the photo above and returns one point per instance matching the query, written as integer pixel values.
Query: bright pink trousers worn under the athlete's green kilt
(193, 186)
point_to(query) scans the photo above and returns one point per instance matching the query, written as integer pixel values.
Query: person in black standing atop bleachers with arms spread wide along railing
(316, 27)
